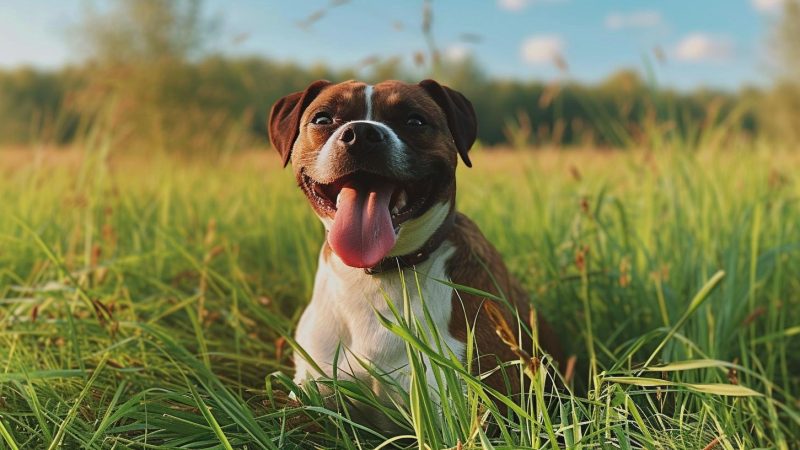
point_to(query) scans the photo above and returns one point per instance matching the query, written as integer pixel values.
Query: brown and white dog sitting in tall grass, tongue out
(377, 164)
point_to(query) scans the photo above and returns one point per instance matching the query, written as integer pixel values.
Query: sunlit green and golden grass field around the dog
(149, 302)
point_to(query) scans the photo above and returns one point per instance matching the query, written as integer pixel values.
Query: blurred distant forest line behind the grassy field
(218, 95)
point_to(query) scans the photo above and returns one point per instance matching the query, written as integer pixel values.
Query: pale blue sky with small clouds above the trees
(685, 43)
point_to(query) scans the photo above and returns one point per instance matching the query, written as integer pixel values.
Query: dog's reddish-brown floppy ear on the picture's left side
(284, 118)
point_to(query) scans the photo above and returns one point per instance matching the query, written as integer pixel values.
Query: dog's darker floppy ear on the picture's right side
(460, 116)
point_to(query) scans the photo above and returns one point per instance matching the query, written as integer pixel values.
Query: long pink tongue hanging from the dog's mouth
(362, 232)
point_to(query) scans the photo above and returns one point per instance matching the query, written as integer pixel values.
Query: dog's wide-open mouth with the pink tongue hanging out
(367, 211)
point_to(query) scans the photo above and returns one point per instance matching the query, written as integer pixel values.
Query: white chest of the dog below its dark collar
(343, 313)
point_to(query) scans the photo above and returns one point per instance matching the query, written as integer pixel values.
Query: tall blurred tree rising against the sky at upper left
(143, 84)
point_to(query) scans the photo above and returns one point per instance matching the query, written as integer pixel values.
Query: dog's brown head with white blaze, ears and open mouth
(377, 163)
